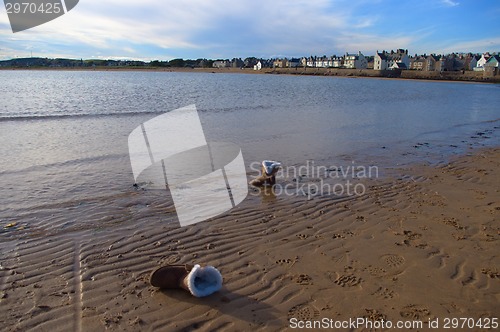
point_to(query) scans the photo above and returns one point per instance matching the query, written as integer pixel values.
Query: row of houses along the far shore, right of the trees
(383, 60)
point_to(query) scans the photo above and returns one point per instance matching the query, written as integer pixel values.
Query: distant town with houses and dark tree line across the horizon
(384, 62)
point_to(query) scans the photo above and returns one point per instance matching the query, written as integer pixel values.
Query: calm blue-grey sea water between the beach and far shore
(63, 134)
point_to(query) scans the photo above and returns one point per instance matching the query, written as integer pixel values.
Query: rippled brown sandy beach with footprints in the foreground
(418, 246)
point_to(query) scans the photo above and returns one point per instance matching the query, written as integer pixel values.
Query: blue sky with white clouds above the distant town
(225, 29)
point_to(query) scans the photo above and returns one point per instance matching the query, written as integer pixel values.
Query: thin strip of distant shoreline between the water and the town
(455, 76)
